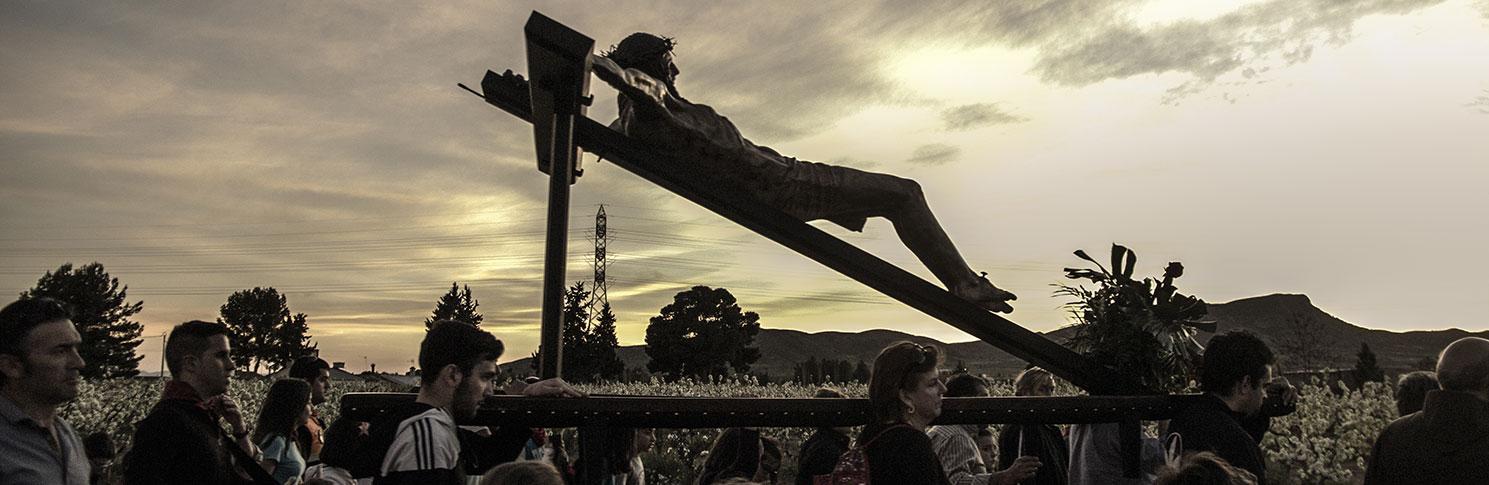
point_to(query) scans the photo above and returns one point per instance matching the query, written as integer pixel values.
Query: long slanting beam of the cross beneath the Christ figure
(510, 93)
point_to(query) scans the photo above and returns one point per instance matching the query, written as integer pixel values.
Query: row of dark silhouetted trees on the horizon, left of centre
(702, 334)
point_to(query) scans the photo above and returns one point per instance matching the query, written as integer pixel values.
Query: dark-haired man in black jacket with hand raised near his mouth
(181, 441)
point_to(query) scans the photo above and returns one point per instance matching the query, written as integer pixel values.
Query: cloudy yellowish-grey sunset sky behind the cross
(1338, 150)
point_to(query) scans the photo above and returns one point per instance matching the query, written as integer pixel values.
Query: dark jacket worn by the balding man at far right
(1447, 443)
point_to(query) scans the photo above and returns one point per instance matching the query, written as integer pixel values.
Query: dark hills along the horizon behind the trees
(1266, 316)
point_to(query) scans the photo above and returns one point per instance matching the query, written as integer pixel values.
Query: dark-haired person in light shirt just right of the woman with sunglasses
(957, 444)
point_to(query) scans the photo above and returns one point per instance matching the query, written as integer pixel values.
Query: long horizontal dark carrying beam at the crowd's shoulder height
(710, 413)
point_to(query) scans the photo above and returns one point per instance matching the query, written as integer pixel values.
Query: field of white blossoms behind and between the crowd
(1324, 443)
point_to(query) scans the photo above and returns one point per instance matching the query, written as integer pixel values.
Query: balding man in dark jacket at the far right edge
(1448, 441)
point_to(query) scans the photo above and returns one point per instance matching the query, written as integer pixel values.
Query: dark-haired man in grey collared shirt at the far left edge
(39, 371)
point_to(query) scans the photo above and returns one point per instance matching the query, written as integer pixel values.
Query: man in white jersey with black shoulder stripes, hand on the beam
(424, 444)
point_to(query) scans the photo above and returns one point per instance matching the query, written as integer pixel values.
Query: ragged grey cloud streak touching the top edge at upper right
(1249, 41)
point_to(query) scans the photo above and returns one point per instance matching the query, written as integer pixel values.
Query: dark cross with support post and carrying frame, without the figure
(553, 99)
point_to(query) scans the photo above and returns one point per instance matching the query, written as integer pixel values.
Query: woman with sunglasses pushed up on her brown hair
(906, 392)
